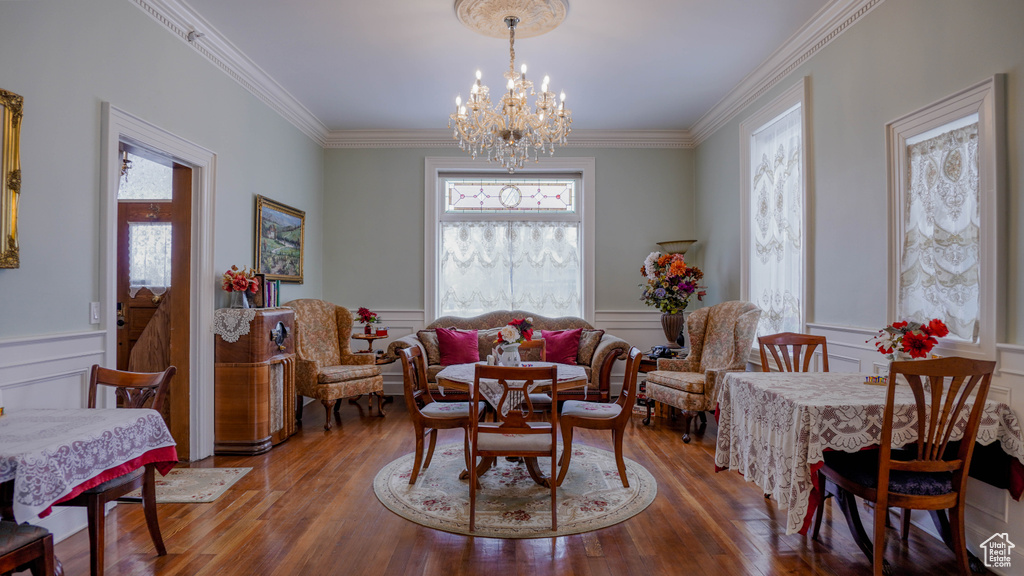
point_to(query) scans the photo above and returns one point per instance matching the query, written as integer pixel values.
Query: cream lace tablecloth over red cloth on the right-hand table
(774, 428)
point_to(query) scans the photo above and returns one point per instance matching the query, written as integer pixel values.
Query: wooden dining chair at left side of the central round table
(430, 417)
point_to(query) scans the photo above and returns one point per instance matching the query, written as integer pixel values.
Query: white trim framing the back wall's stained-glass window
(434, 193)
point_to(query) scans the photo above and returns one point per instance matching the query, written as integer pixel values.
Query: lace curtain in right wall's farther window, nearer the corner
(777, 268)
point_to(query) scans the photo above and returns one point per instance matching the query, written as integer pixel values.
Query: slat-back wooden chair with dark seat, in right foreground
(925, 476)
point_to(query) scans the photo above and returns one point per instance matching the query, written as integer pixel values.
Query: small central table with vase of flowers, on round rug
(462, 377)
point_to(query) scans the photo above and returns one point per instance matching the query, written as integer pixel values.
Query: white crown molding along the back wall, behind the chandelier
(443, 139)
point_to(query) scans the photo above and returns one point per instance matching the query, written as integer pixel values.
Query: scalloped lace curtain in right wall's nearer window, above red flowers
(940, 266)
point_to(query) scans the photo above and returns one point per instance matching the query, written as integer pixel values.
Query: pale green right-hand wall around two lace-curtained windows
(899, 59)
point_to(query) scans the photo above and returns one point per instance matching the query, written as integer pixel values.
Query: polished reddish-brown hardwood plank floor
(309, 508)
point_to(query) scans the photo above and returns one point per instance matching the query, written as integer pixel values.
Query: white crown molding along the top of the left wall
(181, 19)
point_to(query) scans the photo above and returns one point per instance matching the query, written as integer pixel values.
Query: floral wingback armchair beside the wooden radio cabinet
(326, 368)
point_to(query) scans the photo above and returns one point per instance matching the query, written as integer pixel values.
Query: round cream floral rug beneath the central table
(509, 504)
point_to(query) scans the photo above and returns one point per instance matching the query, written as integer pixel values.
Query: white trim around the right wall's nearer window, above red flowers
(987, 100)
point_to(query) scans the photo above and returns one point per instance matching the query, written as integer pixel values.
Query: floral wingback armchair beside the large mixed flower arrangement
(720, 342)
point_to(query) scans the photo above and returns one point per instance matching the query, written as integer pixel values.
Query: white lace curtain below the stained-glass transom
(510, 265)
